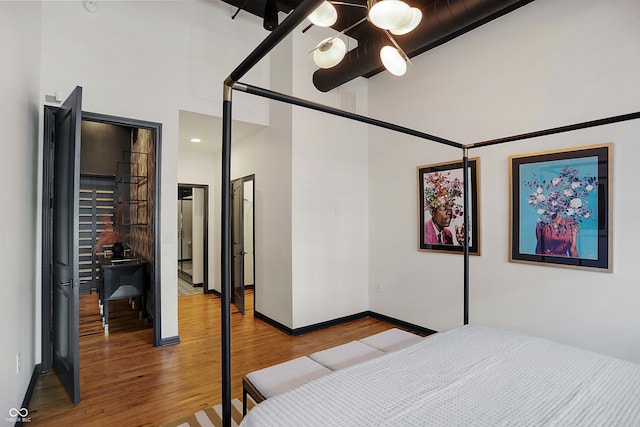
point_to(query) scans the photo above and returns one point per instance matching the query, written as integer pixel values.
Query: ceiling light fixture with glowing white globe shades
(392, 16)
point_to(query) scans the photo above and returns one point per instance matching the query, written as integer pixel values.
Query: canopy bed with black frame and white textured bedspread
(471, 375)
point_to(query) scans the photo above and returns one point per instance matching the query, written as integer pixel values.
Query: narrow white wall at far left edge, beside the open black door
(20, 214)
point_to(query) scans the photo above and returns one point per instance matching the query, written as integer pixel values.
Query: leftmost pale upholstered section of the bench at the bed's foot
(273, 380)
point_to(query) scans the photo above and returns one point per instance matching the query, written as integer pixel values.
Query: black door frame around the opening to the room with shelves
(47, 212)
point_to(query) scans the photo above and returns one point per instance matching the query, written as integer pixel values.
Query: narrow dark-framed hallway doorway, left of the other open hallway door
(192, 239)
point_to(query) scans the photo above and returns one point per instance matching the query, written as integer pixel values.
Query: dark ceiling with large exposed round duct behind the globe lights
(442, 21)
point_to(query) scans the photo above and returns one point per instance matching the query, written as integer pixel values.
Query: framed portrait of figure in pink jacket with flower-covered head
(440, 207)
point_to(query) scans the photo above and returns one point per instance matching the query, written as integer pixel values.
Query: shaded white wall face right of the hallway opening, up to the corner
(267, 154)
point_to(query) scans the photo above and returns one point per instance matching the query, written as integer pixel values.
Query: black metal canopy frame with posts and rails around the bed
(233, 83)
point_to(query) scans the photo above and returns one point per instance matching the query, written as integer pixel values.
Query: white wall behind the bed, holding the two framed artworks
(547, 64)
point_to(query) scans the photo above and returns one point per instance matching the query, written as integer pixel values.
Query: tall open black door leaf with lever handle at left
(66, 188)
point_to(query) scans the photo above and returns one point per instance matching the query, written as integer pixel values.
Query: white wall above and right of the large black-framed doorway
(148, 60)
